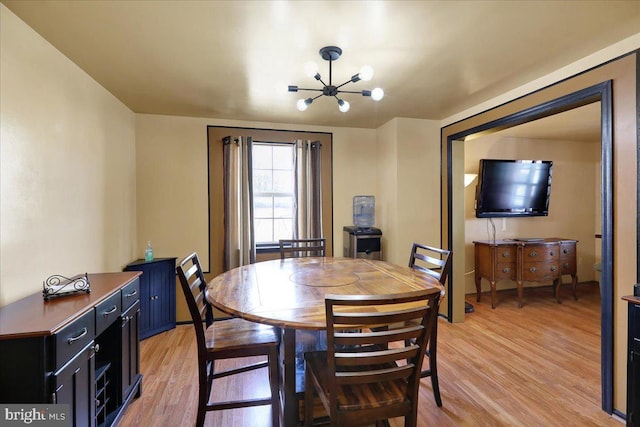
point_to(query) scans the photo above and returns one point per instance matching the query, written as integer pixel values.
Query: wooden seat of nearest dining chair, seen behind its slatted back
(357, 396)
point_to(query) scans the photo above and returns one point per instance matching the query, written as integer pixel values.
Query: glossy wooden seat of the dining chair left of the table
(238, 333)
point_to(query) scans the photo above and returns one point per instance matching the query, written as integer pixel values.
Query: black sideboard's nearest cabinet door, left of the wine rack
(74, 385)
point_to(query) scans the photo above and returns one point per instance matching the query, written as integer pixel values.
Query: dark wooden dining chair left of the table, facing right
(226, 339)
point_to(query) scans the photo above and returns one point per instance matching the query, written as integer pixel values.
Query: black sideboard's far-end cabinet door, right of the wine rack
(130, 349)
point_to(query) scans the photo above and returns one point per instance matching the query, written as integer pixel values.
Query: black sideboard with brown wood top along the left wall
(81, 350)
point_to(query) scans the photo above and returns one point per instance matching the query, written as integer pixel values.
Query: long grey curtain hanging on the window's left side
(239, 243)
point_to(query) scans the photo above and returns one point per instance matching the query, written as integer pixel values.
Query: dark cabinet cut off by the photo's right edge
(633, 363)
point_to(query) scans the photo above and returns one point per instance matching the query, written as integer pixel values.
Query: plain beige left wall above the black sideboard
(67, 161)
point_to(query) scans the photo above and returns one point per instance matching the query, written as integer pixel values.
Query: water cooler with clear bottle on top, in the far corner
(362, 240)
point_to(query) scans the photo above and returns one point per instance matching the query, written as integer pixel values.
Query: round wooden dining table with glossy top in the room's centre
(289, 294)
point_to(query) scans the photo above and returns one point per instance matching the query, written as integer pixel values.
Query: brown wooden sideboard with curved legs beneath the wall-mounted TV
(545, 260)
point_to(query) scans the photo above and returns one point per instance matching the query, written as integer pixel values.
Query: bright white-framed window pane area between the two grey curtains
(273, 191)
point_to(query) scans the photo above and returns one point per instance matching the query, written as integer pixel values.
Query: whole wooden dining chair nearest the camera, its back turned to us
(371, 373)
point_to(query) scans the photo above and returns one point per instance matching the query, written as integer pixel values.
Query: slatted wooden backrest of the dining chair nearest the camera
(386, 331)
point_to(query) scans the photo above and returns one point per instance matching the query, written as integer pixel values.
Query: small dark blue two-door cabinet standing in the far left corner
(157, 295)
